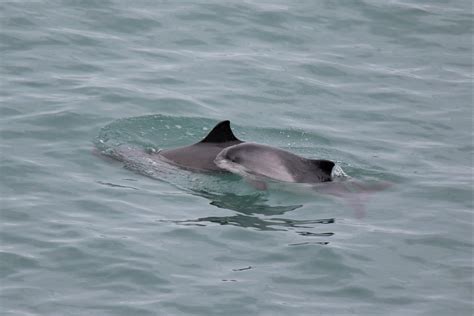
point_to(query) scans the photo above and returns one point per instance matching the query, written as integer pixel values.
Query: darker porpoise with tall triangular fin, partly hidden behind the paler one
(200, 156)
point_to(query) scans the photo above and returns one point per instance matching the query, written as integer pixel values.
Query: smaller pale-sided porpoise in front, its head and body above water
(250, 159)
